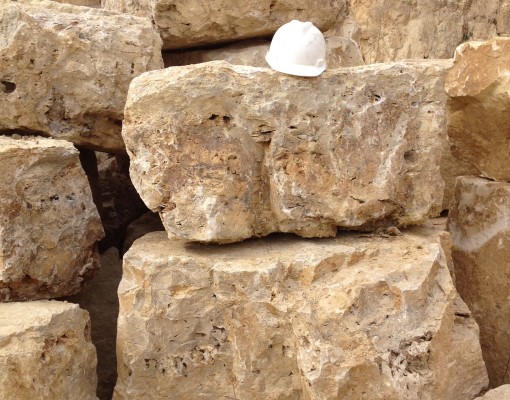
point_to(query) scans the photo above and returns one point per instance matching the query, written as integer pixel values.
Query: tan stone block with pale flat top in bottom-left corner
(46, 352)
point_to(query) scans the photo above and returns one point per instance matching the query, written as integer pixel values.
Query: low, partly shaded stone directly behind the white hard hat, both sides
(341, 52)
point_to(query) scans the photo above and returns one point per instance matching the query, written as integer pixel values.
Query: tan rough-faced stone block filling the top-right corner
(390, 30)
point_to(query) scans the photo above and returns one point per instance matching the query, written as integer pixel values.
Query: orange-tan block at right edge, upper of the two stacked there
(479, 107)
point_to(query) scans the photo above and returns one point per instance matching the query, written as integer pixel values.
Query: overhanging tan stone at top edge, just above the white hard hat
(190, 23)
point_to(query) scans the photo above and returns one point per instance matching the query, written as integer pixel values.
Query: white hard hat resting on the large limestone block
(298, 48)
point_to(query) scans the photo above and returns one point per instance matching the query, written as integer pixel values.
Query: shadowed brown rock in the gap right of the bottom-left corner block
(99, 298)
